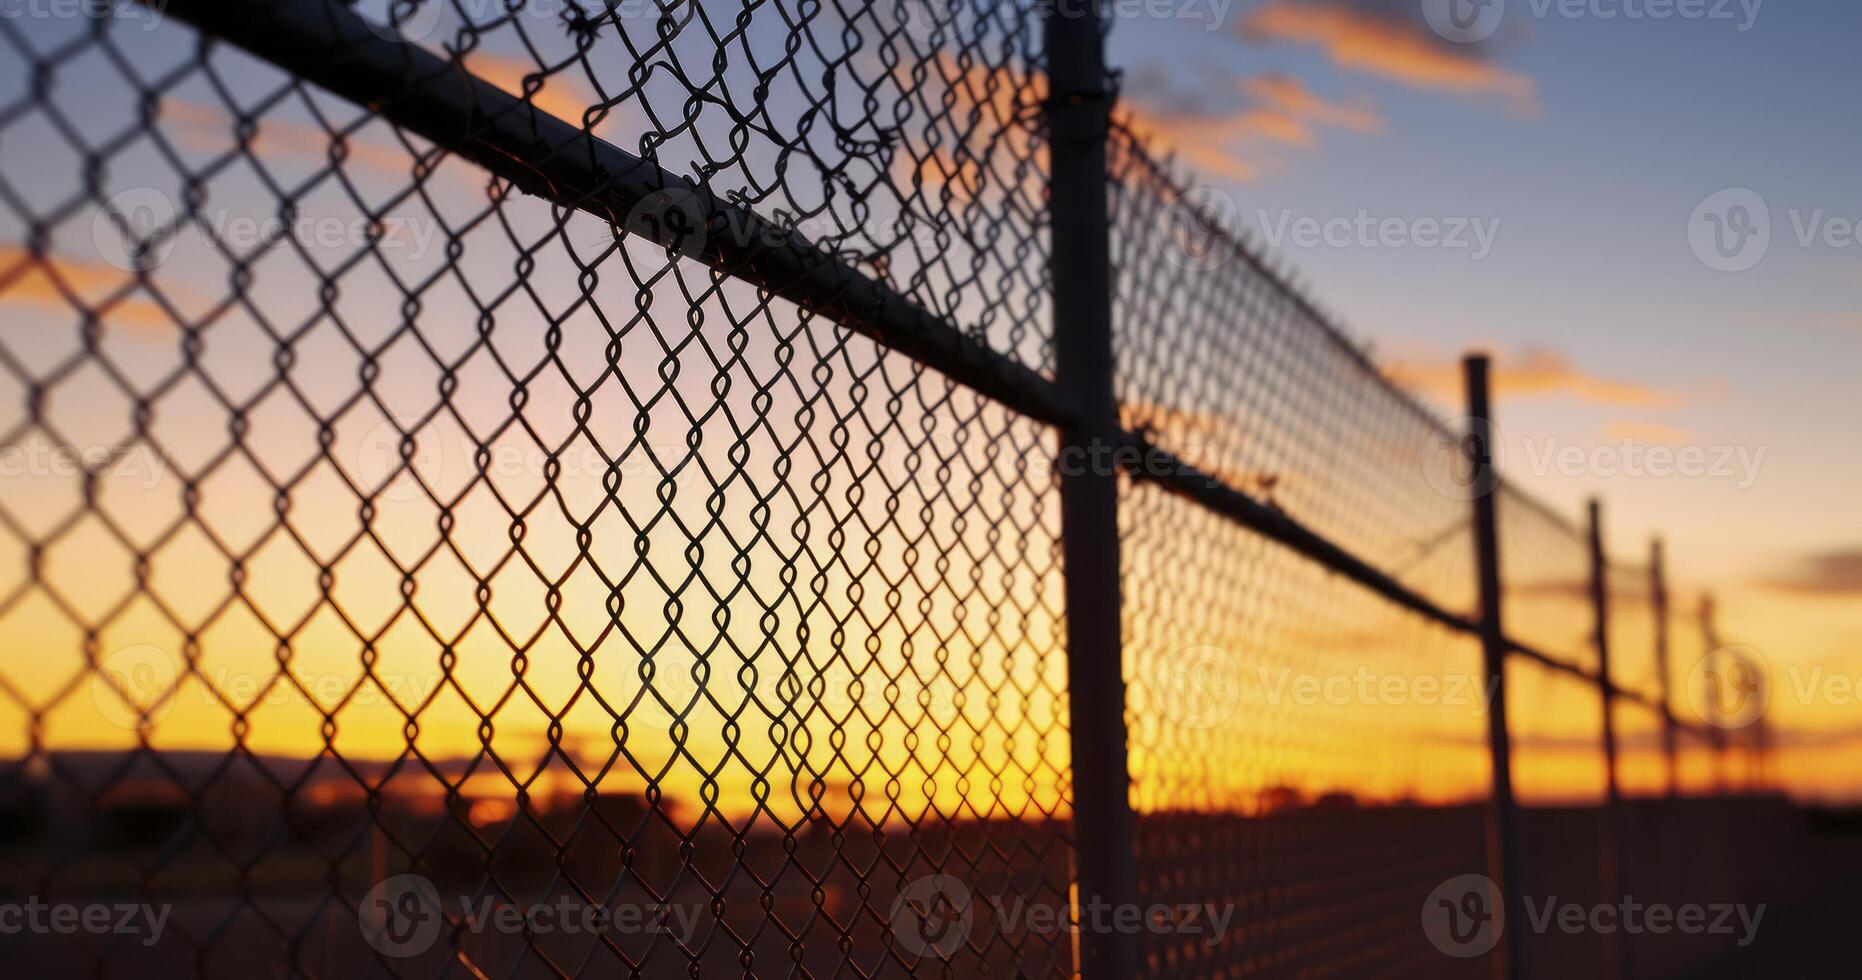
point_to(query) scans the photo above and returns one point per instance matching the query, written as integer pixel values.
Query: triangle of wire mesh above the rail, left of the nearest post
(897, 135)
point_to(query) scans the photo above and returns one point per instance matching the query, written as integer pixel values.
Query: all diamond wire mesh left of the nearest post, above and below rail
(420, 526)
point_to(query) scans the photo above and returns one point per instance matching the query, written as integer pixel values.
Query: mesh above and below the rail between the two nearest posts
(1302, 750)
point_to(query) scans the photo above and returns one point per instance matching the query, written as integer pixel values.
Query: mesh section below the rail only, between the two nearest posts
(1271, 776)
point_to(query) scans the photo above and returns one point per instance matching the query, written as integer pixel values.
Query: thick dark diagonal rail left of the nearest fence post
(563, 163)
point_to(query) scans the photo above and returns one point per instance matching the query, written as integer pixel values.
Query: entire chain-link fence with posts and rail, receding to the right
(548, 489)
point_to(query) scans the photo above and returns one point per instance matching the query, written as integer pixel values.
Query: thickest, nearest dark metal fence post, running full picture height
(1081, 269)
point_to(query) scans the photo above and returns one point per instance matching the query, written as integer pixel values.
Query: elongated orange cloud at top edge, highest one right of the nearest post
(1386, 46)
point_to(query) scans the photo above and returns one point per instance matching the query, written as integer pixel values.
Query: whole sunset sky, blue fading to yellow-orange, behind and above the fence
(1582, 146)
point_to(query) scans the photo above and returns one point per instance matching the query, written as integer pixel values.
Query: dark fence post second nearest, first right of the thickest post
(1504, 836)
